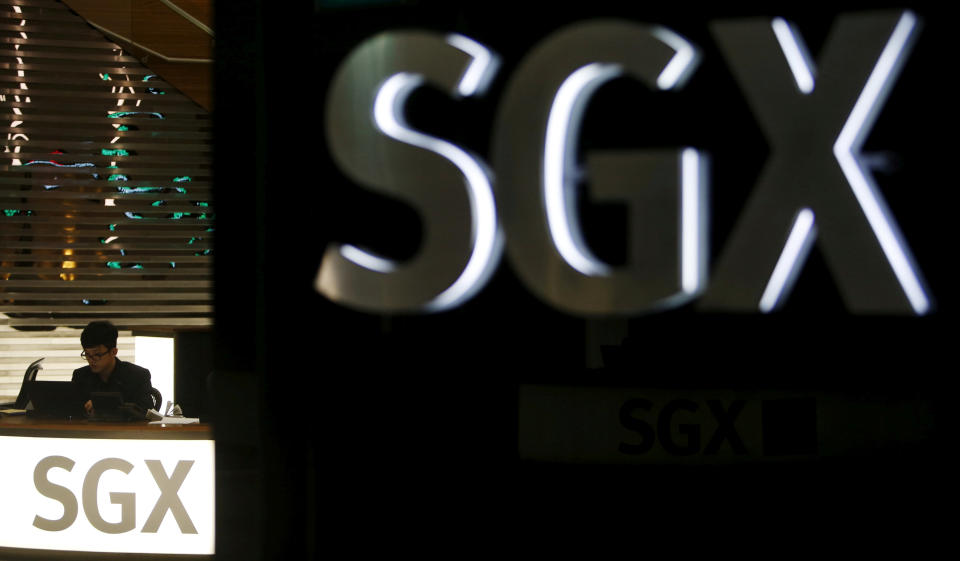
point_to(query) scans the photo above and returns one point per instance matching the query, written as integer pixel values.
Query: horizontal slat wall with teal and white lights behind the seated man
(105, 185)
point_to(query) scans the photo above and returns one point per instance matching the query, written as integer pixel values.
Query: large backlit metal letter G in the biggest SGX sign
(538, 174)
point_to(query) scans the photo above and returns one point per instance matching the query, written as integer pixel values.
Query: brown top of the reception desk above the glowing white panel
(22, 425)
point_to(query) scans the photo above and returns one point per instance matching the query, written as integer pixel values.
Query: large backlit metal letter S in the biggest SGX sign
(450, 188)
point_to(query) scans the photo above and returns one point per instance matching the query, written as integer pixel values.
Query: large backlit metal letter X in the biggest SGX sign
(814, 187)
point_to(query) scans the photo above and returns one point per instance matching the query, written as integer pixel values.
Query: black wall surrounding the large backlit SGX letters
(392, 433)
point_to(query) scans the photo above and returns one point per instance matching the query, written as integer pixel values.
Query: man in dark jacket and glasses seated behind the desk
(105, 372)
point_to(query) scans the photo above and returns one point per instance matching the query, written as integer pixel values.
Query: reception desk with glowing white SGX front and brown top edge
(106, 487)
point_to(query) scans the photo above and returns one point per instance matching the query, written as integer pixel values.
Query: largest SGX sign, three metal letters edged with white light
(813, 188)
